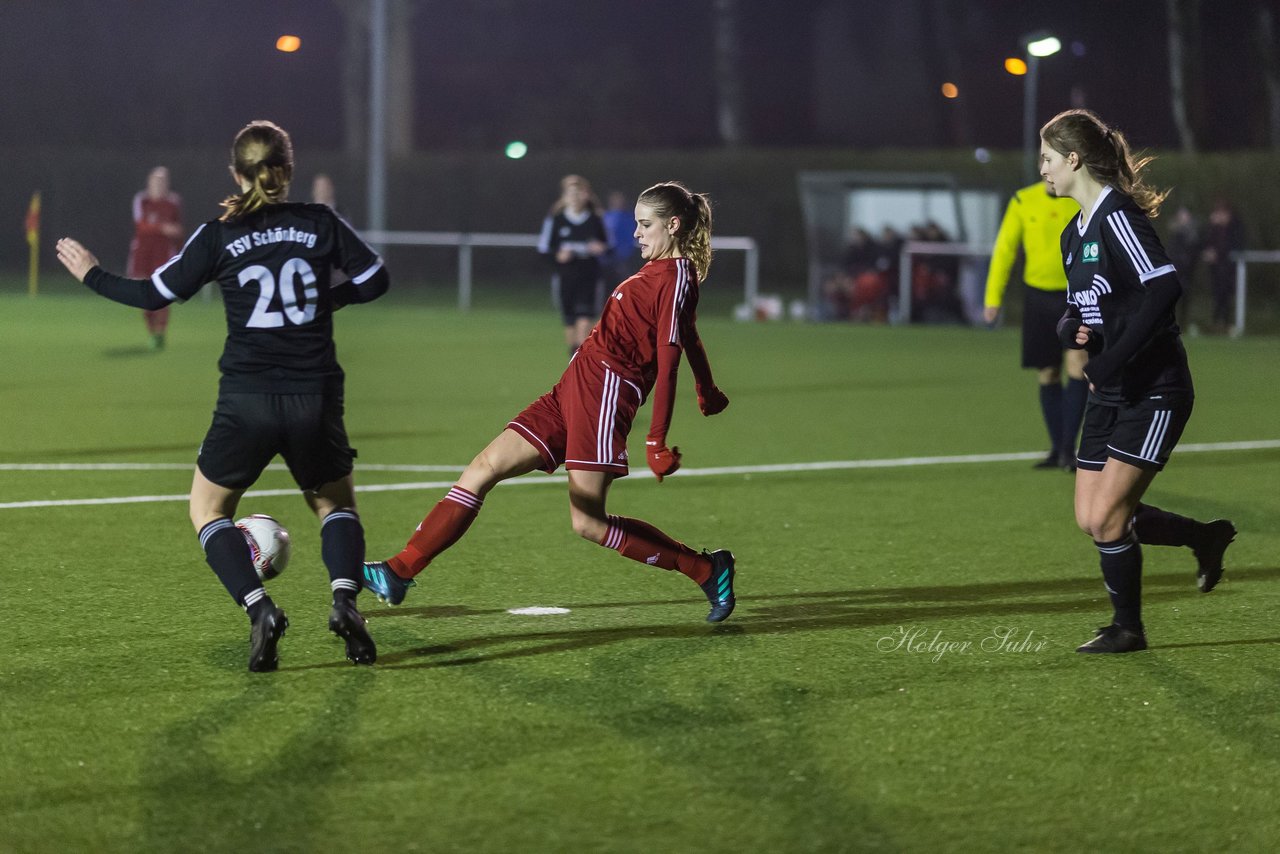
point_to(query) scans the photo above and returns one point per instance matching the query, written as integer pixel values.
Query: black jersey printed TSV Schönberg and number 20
(275, 268)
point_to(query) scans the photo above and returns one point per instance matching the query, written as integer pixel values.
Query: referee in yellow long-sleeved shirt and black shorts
(1035, 222)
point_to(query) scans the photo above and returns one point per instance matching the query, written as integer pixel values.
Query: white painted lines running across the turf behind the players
(898, 463)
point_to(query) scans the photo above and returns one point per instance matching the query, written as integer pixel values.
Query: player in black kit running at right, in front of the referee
(1122, 290)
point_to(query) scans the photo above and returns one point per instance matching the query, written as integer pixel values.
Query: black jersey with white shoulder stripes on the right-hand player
(1113, 257)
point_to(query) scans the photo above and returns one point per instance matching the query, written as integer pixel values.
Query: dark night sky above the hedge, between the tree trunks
(575, 75)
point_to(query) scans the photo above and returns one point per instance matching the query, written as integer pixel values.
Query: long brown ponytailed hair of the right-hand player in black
(1105, 153)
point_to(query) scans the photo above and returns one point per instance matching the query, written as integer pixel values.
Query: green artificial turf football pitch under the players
(899, 674)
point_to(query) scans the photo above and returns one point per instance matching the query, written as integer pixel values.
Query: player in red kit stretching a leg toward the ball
(583, 423)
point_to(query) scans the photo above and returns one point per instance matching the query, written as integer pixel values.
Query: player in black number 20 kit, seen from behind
(282, 389)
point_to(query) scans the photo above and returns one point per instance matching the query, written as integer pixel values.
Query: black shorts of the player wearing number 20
(250, 430)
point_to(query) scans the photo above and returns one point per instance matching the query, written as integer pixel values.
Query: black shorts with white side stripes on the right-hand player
(1140, 437)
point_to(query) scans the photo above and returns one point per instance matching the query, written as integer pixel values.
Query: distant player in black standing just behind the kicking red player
(574, 239)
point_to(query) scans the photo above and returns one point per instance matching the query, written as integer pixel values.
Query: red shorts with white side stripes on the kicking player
(584, 422)
